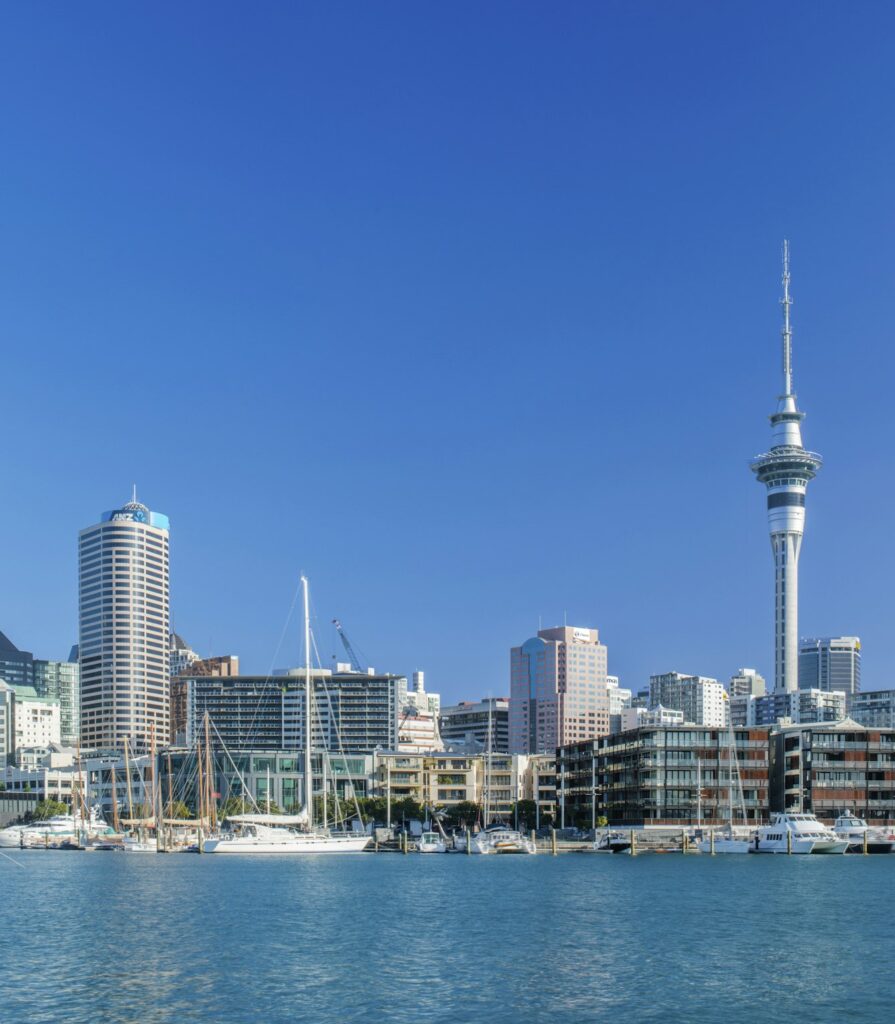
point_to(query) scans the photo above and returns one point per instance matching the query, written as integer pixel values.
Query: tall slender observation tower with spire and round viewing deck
(786, 471)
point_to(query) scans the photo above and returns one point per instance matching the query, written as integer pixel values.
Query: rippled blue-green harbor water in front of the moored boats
(107, 937)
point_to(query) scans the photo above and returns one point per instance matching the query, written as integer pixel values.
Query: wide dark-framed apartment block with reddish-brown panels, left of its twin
(665, 776)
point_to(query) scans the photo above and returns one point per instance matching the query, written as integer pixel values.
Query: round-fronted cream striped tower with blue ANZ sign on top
(124, 627)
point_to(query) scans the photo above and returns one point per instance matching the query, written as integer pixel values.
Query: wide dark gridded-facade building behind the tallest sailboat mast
(356, 713)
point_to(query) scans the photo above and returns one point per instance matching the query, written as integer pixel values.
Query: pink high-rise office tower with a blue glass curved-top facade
(559, 692)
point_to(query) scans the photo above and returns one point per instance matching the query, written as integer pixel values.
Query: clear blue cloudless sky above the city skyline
(471, 312)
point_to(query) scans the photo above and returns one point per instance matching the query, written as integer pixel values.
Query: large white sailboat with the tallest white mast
(292, 834)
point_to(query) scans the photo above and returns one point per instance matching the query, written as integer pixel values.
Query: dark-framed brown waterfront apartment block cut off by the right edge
(834, 767)
